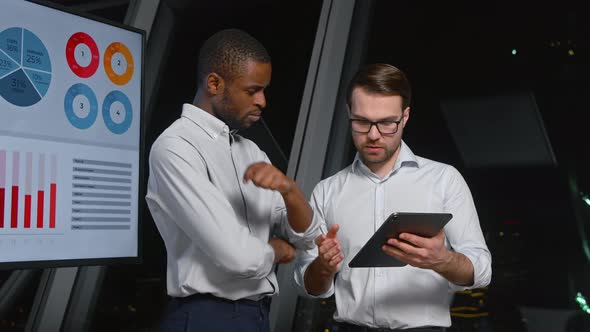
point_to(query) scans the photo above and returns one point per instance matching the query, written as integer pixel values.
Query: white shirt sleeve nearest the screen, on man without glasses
(180, 190)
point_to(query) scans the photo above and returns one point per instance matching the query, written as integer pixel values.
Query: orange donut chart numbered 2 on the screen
(118, 63)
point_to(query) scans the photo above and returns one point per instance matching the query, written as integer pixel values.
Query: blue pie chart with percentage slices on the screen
(25, 67)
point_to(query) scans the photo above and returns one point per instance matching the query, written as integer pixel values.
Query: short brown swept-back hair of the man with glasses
(381, 79)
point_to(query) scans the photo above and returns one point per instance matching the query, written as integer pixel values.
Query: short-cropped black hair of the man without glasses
(225, 53)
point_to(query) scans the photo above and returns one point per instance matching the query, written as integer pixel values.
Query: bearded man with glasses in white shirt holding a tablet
(387, 177)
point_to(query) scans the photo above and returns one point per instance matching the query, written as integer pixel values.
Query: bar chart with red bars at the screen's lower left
(28, 197)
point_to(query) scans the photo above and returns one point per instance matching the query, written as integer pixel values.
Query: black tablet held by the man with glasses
(421, 224)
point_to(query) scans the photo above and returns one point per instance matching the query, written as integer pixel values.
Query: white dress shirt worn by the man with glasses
(359, 201)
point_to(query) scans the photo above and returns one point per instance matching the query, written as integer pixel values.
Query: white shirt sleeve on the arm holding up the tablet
(464, 231)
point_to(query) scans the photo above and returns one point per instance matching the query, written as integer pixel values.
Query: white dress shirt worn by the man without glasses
(216, 228)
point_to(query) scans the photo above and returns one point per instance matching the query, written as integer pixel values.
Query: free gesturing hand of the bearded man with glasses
(330, 255)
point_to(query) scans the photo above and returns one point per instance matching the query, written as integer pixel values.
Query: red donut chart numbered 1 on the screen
(82, 55)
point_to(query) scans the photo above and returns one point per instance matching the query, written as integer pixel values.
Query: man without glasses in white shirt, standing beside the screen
(217, 201)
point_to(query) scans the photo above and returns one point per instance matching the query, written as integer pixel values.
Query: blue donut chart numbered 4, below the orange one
(117, 112)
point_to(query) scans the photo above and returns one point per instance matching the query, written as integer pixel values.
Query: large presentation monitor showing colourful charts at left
(70, 138)
